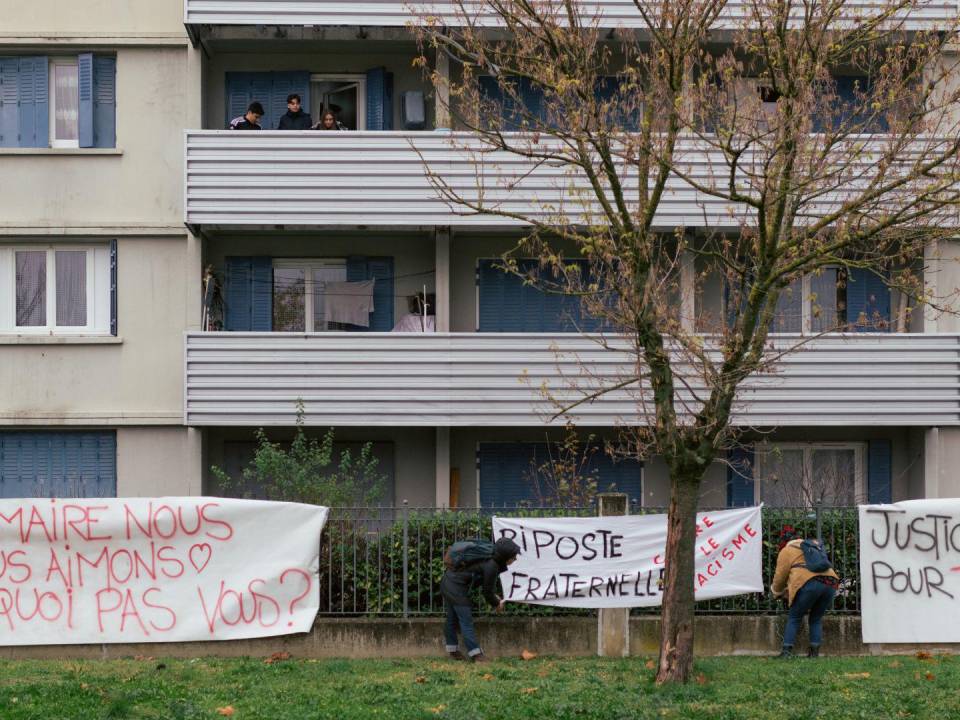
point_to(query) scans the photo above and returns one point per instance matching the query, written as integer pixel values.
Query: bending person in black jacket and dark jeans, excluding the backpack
(455, 588)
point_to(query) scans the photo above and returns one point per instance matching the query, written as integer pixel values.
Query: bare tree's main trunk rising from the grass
(676, 630)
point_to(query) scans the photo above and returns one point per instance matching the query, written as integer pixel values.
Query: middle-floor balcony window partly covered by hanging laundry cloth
(299, 292)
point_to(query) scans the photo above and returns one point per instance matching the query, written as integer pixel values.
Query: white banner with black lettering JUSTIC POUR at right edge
(910, 571)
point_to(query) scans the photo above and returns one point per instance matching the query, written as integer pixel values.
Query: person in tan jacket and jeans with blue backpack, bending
(805, 576)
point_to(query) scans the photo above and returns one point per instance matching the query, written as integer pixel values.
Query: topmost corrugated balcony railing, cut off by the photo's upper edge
(928, 14)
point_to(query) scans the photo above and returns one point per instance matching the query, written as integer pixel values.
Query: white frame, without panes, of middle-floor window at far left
(97, 282)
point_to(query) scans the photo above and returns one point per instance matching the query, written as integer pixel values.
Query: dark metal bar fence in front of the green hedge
(389, 561)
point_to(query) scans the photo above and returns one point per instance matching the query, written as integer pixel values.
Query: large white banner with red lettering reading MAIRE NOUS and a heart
(156, 569)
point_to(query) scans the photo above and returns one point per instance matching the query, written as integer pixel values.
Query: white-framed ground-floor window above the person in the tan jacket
(800, 474)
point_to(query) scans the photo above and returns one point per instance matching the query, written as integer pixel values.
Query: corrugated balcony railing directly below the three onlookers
(381, 179)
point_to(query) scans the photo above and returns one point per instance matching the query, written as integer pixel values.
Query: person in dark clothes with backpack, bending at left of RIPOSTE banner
(471, 563)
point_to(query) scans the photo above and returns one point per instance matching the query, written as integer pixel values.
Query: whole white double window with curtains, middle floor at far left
(55, 289)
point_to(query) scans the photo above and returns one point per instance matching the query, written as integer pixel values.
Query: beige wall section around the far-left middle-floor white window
(139, 380)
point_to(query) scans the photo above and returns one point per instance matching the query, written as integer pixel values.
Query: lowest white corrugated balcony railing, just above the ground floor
(467, 379)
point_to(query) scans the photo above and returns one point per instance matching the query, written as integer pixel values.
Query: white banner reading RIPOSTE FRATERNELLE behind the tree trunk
(618, 561)
